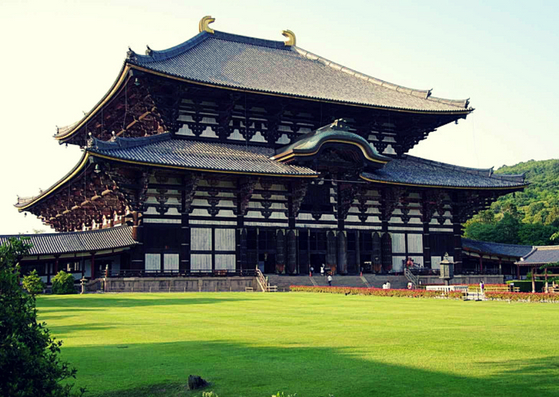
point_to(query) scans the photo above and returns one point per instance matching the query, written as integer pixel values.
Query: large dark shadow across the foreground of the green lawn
(241, 370)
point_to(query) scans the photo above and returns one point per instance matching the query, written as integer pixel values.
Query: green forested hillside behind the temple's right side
(530, 217)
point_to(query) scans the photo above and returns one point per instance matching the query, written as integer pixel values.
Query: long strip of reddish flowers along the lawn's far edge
(401, 293)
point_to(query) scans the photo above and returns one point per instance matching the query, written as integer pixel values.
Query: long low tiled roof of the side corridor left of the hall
(64, 243)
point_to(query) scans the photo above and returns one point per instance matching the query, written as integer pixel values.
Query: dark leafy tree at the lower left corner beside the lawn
(29, 362)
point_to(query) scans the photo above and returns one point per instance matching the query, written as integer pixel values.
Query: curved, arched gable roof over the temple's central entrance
(337, 133)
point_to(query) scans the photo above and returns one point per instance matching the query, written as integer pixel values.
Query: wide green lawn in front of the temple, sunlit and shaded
(250, 344)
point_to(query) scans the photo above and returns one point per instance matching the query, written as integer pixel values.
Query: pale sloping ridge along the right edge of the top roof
(423, 94)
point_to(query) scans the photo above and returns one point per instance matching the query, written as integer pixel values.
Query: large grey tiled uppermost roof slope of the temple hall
(235, 61)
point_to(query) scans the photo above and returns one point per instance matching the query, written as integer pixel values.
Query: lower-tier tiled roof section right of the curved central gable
(416, 171)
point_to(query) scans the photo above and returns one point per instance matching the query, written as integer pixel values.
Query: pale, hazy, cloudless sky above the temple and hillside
(58, 58)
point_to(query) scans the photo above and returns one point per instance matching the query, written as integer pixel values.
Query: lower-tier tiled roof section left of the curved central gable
(164, 150)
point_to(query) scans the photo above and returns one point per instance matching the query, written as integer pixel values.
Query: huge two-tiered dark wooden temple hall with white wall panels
(228, 152)
